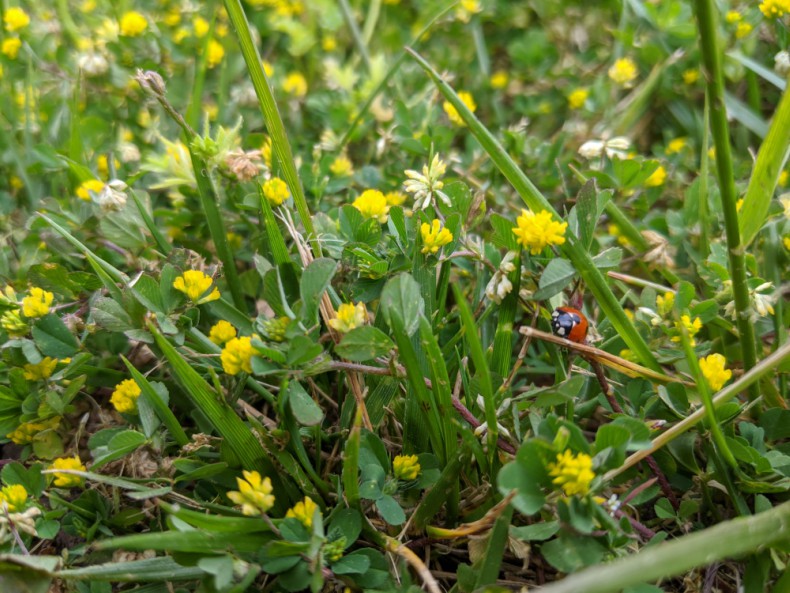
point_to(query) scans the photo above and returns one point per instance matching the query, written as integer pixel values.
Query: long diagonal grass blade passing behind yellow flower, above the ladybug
(596, 282)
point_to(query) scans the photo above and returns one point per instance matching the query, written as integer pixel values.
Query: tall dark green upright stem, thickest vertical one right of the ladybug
(711, 57)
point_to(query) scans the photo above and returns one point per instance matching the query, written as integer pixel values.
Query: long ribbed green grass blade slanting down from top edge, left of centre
(271, 115)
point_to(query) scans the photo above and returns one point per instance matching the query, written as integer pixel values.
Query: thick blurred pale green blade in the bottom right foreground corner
(726, 540)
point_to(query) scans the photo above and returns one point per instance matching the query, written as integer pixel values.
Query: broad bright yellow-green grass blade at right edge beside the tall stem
(765, 174)
